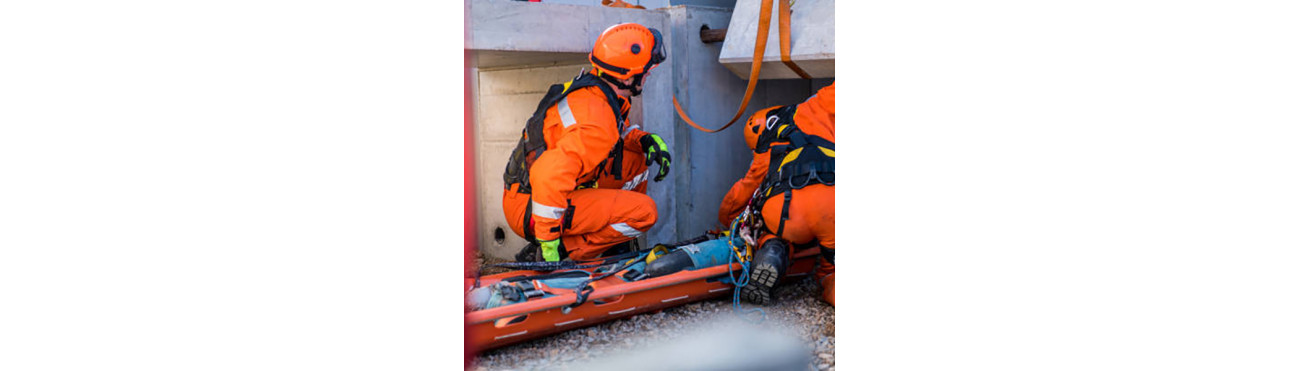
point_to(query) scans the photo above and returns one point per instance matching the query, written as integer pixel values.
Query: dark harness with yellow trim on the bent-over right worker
(798, 161)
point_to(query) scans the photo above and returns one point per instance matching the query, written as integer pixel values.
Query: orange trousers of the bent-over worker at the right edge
(812, 218)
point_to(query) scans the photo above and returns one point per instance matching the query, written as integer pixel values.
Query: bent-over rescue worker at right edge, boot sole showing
(791, 183)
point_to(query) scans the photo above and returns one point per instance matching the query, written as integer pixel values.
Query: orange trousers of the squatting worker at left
(603, 218)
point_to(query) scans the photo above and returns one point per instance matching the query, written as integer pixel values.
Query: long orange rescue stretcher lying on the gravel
(548, 309)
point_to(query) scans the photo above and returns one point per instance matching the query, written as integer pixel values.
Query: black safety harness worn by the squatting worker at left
(532, 144)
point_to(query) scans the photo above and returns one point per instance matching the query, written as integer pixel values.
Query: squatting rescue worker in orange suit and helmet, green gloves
(575, 184)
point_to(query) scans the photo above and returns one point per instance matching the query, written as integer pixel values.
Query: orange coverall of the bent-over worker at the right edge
(812, 208)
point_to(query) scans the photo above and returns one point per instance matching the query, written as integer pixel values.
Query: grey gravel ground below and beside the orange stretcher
(799, 312)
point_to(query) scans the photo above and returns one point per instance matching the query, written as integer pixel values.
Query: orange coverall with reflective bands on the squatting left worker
(580, 131)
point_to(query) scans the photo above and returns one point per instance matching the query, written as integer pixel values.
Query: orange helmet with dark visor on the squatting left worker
(627, 50)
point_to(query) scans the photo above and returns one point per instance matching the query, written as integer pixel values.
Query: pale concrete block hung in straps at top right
(812, 41)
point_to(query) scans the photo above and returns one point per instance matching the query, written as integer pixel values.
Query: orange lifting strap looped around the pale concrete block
(765, 21)
